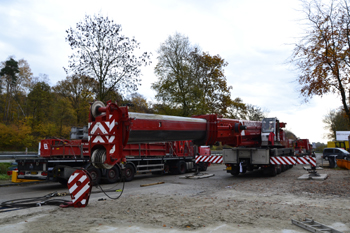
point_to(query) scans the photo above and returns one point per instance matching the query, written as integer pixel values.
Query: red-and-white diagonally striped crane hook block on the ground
(79, 185)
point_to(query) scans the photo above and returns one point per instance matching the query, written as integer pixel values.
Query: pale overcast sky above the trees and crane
(255, 37)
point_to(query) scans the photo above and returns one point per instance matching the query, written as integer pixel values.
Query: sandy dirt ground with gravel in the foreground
(222, 203)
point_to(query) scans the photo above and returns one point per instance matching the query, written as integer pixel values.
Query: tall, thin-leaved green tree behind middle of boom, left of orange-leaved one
(174, 80)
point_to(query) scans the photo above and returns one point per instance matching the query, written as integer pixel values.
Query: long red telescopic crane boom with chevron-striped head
(112, 127)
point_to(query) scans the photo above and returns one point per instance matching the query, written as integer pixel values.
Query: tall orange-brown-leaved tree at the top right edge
(323, 55)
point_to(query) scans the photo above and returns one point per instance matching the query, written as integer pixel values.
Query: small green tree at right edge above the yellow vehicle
(336, 120)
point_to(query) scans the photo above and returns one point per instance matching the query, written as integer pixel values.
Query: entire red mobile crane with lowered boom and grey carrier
(254, 145)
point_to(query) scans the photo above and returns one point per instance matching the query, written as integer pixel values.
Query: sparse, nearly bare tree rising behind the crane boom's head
(106, 55)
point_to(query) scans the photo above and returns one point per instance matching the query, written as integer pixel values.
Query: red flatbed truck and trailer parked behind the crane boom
(59, 158)
